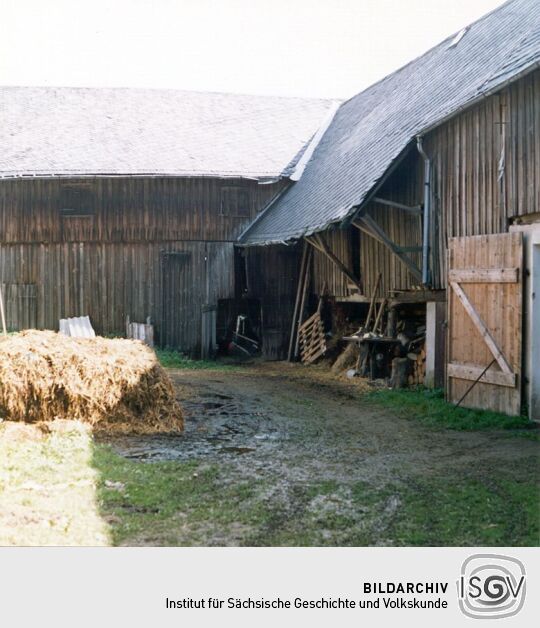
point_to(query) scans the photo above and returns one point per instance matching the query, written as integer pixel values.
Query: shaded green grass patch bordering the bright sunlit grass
(171, 503)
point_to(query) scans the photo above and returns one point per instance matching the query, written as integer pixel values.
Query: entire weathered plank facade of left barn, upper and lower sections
(111, 264)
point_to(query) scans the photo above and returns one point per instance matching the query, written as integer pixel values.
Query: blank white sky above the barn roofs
(326, 48)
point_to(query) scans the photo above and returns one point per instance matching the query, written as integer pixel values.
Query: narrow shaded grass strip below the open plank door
(430, 407)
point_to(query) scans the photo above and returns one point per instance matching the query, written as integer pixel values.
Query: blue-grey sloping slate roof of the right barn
(370, 131)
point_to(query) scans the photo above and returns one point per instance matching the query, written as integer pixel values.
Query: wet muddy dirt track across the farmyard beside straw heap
(295, 424)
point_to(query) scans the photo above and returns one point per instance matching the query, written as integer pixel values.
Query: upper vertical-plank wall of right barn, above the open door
(487, 165)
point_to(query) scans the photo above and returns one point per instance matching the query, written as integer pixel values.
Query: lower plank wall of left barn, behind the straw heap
(111, 281)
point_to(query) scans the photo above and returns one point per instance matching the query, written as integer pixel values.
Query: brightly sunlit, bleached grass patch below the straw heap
(48, 486)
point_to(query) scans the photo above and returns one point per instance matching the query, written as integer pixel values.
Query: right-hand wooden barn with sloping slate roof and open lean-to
(425, 193)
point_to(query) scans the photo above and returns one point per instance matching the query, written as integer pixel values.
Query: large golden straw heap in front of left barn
(115, 385)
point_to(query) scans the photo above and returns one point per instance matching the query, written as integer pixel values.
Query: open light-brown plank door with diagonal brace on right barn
(484, 321)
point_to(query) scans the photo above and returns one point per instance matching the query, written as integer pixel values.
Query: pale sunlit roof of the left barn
(47, 131)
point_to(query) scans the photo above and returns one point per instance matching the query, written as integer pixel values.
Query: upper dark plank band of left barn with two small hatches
(126, 210)
